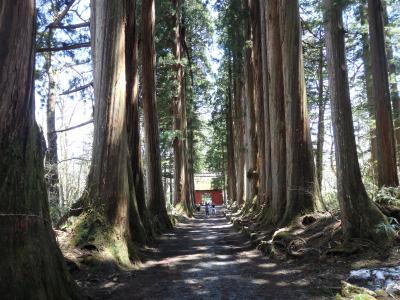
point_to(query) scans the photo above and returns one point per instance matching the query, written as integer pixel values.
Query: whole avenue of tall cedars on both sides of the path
(145, 67)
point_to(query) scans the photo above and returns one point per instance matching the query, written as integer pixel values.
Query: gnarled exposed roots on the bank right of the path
(313, 235)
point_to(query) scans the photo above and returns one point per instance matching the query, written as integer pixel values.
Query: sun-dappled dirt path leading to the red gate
(205, 258)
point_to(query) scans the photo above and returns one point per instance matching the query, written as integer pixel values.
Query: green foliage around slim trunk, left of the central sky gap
(196, 22)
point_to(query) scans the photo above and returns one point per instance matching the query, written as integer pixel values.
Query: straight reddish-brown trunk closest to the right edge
(386, 154)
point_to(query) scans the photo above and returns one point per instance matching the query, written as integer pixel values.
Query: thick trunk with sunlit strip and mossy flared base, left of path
(110, 220)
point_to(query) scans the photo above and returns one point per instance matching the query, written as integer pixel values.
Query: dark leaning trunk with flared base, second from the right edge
(360, 217)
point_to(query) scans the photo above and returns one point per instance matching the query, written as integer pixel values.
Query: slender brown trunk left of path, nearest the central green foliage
(157, 205)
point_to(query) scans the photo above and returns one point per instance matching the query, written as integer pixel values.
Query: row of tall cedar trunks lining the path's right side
(271, 164)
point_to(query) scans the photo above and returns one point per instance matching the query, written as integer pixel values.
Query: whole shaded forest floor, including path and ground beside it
(206, 258)
